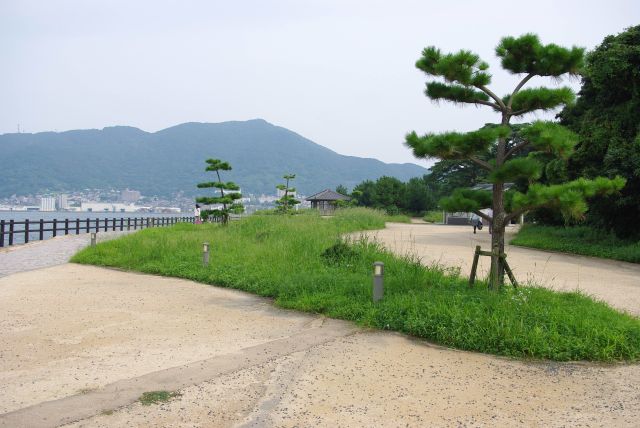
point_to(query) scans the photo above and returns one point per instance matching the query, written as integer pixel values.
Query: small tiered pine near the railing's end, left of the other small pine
(229, 194)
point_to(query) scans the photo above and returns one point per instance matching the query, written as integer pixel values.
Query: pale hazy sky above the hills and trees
(339, 72)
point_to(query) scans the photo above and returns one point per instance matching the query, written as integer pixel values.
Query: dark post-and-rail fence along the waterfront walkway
(18, 232)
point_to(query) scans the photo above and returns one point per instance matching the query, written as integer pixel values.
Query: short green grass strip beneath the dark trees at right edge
(578, 240)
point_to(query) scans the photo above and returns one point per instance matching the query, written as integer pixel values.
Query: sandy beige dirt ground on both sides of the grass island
(80, 344)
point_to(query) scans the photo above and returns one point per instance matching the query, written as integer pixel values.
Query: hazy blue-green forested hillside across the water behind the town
(172, 160)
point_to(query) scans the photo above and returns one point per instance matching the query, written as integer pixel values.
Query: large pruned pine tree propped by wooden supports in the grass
(465, 80)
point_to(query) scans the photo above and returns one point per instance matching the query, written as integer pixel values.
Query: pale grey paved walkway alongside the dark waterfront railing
(52, 252)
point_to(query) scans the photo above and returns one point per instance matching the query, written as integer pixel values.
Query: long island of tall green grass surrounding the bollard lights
(302, 262)
